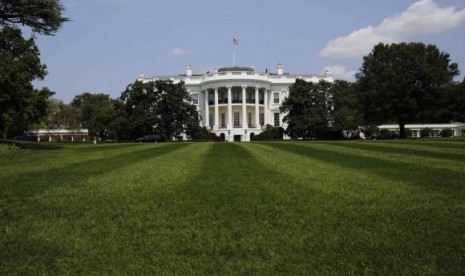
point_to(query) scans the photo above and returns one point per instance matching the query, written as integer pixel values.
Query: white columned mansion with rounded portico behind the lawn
(237, 102)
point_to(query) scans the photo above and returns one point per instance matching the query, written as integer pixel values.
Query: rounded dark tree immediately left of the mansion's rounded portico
(163, 107)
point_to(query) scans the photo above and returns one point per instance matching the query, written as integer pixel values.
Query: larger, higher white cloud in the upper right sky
(422, 17)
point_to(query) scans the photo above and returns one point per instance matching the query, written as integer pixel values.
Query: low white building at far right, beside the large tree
(458, 129)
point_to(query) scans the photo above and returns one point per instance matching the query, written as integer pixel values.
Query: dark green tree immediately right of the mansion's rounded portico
(308, 109)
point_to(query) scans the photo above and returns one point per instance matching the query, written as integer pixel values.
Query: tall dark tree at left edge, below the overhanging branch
(19, 66)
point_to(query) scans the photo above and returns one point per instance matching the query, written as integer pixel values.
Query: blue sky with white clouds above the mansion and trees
(108, 43)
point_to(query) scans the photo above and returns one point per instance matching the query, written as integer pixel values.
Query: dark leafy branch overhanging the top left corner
(42, 16)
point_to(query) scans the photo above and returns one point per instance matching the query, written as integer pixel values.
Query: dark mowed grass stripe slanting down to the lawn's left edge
(76, 174)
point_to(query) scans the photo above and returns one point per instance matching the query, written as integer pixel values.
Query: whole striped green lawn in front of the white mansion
(363, 207)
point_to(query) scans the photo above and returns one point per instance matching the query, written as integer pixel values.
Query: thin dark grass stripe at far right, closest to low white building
(380, 148)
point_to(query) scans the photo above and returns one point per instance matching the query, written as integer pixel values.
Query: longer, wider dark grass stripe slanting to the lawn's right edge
(439, 180)
